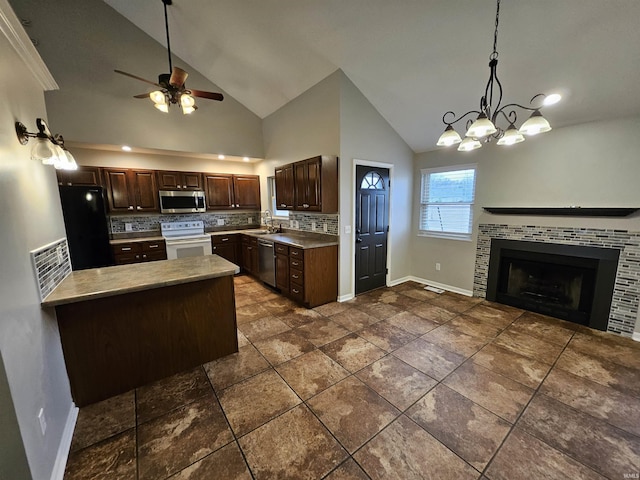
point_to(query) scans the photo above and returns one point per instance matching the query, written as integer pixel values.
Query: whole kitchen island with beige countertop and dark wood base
(124, 326)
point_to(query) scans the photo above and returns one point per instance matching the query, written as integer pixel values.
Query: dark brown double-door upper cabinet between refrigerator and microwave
(131, 190)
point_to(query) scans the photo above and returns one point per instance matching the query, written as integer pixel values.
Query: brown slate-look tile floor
(399, 383)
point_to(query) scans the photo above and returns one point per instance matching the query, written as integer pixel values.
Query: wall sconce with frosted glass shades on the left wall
(48, 148)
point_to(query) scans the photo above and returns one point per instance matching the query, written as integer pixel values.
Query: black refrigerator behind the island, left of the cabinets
(85, 220)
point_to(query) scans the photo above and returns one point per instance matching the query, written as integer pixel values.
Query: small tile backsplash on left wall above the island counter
(51, 264)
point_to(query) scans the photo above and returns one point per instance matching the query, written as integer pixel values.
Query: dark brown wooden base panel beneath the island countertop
(112, 345)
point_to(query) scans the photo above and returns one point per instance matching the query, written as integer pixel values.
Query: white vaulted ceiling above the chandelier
(413, 59)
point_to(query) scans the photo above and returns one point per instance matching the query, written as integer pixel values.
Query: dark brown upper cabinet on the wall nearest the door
(310, 185)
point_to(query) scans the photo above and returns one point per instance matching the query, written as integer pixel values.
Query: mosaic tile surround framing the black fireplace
(624, 305)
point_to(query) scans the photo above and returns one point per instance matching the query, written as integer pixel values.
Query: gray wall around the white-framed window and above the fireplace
(591, 165)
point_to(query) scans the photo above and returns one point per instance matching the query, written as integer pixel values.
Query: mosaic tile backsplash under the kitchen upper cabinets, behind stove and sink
(151, 222)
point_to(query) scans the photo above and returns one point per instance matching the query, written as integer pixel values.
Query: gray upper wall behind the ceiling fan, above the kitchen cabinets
(83, 41)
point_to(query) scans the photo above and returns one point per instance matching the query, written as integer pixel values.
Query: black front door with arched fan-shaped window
(371, 228)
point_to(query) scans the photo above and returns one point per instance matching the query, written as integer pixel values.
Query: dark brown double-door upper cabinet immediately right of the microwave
(227, 192)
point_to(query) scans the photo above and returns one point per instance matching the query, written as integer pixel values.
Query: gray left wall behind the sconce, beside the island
(30, 217)
